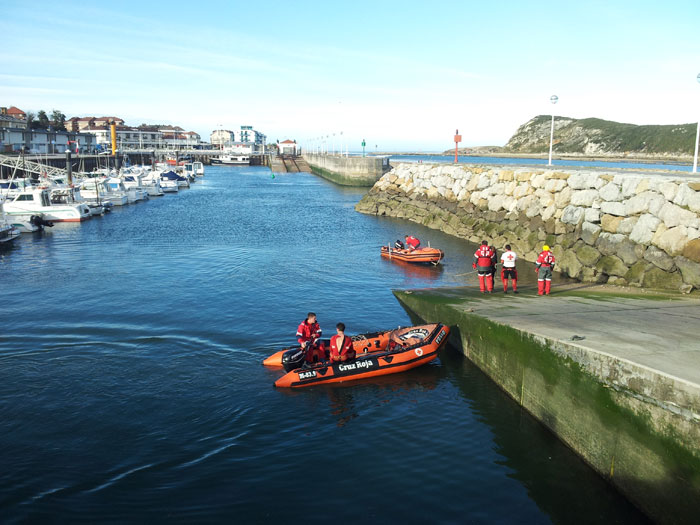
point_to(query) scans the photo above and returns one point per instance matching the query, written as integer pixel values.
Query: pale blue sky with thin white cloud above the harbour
(403, 75)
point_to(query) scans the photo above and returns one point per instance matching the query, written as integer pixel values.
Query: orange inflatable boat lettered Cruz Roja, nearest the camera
(381, 354)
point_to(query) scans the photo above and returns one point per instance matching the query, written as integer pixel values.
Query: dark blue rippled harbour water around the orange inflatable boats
(131, 388)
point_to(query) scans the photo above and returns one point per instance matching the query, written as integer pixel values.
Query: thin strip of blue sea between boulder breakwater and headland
(569, 163)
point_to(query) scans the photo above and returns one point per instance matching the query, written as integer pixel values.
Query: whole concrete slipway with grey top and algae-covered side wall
(614, 373)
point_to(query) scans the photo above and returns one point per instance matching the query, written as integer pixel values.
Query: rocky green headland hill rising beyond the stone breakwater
(593, 136)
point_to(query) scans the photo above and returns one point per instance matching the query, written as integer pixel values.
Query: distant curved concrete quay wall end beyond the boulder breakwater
(347, 171)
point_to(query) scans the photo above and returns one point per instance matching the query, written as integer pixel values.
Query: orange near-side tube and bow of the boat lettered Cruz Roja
(390, 361)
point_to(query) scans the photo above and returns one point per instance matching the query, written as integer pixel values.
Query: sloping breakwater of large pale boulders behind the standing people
(630, 229)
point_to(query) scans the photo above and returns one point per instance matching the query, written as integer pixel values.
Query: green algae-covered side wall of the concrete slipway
(610, 428)
